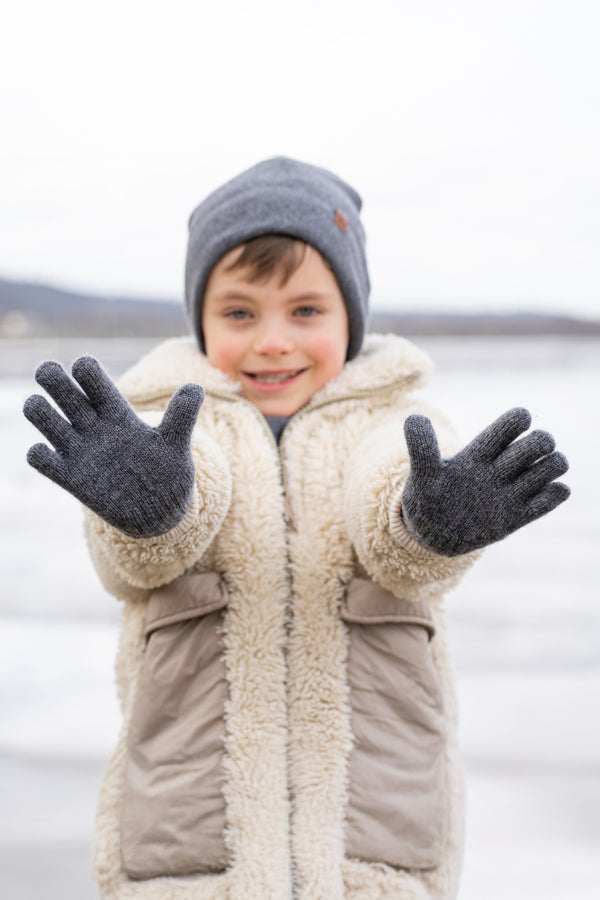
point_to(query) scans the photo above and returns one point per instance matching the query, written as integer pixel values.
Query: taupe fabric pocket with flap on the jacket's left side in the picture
(173, 813)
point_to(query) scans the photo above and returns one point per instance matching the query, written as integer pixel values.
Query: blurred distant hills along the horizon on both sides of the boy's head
(38, 310)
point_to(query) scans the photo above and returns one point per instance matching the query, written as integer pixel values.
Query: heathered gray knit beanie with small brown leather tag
(282, 196)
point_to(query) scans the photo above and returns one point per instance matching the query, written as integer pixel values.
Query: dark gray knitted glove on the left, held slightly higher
(137, 478)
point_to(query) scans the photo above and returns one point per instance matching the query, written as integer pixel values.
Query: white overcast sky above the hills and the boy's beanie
(471, 129)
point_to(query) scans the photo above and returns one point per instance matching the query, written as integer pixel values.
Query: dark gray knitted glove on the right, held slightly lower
(488, 490)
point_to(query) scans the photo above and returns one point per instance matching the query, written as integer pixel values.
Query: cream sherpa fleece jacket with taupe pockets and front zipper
(284, 531)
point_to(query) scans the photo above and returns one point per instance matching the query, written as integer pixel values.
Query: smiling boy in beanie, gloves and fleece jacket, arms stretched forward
(289, 718)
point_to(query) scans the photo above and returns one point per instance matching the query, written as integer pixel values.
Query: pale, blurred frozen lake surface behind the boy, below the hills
(524, 625)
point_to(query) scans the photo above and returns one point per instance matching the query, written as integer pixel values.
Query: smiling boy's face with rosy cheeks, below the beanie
(282, 343)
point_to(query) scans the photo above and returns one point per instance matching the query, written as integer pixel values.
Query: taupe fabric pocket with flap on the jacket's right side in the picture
(397, 789)
